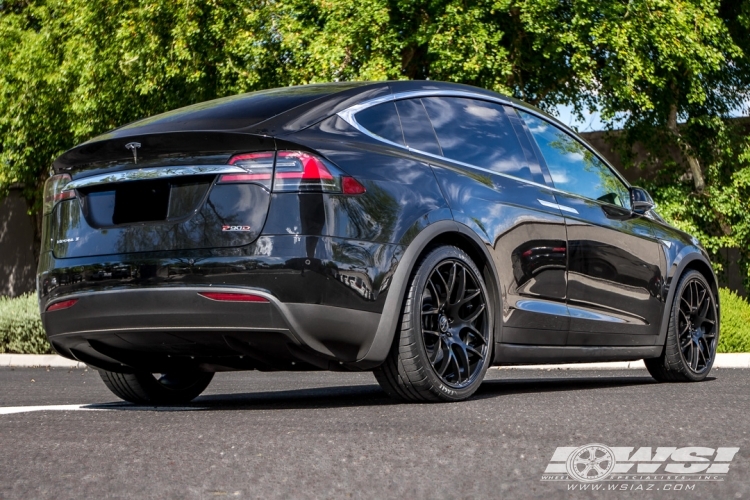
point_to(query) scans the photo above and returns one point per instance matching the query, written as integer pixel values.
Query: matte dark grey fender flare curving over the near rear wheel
(386, 331)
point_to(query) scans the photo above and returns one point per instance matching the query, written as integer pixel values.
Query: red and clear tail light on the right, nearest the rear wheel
(295, 171)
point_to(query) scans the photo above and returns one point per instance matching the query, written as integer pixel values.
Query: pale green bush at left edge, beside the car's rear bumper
(21, 328)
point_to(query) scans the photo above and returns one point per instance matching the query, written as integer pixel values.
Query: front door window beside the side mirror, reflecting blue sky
(573, 167)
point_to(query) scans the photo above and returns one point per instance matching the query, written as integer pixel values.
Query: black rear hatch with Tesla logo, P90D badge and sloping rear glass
(189, 178)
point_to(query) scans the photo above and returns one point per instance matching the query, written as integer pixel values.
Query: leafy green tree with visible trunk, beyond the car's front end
(672, 72)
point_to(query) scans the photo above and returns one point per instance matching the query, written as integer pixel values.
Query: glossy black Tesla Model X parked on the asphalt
(421, 230)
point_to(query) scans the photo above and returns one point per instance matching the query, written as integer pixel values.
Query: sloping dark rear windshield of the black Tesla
(229, 113)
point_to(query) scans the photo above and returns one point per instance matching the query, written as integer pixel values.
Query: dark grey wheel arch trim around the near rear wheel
(445, 232)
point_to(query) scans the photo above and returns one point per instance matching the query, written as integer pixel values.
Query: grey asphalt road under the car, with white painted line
(330, 435)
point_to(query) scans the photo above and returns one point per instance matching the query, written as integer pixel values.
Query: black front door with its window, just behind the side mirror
(613, 256)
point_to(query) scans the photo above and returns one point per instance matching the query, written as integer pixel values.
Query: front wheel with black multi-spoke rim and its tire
(692, 336)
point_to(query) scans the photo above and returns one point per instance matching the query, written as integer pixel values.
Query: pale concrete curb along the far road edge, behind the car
(740, 360)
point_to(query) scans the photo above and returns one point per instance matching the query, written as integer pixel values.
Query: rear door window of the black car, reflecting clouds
(479, 133)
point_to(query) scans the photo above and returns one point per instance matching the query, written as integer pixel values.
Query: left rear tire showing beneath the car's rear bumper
(157, 389)
